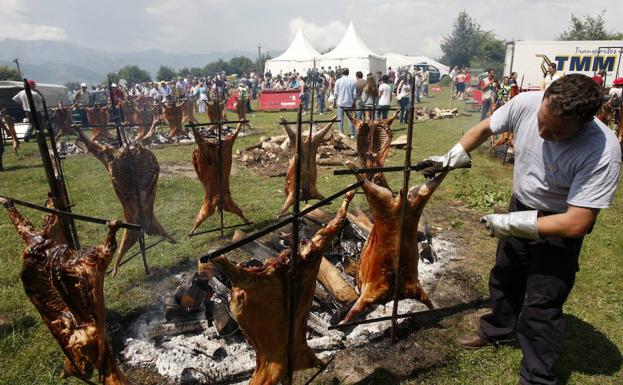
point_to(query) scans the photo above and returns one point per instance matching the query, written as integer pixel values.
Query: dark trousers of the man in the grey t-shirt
(529, 284)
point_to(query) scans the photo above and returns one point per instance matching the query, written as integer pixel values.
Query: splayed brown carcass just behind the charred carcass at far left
(134, 172)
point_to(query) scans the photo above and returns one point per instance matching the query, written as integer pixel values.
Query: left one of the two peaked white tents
(299, 56)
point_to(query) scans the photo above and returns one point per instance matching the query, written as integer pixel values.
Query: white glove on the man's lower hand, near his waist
(520, 224)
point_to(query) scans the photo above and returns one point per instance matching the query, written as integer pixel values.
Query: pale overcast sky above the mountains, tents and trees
(202, 26)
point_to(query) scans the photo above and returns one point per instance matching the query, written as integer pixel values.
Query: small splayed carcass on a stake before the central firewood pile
(309, 172)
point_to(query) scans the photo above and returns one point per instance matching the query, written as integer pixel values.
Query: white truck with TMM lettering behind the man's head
(530, 59)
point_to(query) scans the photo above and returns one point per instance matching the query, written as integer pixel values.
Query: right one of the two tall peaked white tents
(352, 53)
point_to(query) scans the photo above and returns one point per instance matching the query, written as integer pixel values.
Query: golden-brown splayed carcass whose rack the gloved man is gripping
(379, 258)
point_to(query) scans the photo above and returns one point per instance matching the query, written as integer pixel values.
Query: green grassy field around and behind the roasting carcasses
(594, 311)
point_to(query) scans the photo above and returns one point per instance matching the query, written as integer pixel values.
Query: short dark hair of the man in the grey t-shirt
(574, 96)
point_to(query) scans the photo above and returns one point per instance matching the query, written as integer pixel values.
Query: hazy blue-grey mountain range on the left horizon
(60, 62)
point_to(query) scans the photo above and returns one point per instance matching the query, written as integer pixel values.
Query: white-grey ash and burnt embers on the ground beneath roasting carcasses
(191, 351)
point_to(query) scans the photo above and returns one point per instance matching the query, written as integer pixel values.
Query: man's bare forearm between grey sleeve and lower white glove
(574, 223)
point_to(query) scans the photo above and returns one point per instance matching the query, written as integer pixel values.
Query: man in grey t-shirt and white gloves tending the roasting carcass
(567, 166)
